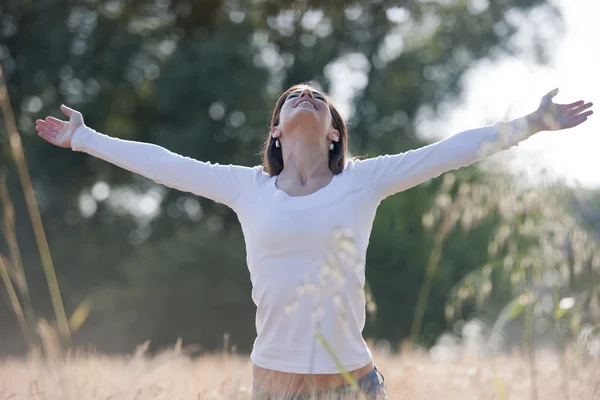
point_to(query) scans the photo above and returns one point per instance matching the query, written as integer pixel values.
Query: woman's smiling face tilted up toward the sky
(306, 111)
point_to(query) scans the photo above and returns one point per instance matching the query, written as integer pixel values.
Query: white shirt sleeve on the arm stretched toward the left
(221, 183)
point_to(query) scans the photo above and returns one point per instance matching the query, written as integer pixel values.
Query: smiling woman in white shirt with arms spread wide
(306, 215)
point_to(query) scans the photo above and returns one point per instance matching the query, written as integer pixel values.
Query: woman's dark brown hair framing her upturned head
(272, 156)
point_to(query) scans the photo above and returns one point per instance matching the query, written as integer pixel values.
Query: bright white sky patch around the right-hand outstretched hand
(511, 88)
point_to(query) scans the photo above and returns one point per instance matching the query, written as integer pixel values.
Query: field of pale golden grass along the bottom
(173, 375)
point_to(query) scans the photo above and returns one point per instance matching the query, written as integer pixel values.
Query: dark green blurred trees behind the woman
(200, 78)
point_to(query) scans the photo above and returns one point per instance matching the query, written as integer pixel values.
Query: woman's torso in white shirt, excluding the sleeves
(306, 259)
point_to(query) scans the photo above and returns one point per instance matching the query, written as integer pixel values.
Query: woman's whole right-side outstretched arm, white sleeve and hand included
(391, 174)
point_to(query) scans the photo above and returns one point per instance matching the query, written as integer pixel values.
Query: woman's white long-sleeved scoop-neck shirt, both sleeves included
(306, 255)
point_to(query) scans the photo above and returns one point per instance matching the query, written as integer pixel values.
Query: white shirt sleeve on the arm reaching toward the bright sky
(389, 174)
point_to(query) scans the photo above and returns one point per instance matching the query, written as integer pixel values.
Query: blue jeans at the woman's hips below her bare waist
(371, 386)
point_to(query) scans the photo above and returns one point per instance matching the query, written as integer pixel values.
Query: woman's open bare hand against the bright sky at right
(551, 116)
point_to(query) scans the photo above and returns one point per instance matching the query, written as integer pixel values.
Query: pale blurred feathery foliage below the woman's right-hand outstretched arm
(538, 250)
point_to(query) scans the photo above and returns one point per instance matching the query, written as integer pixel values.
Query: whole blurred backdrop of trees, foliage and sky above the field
(510, 243)
